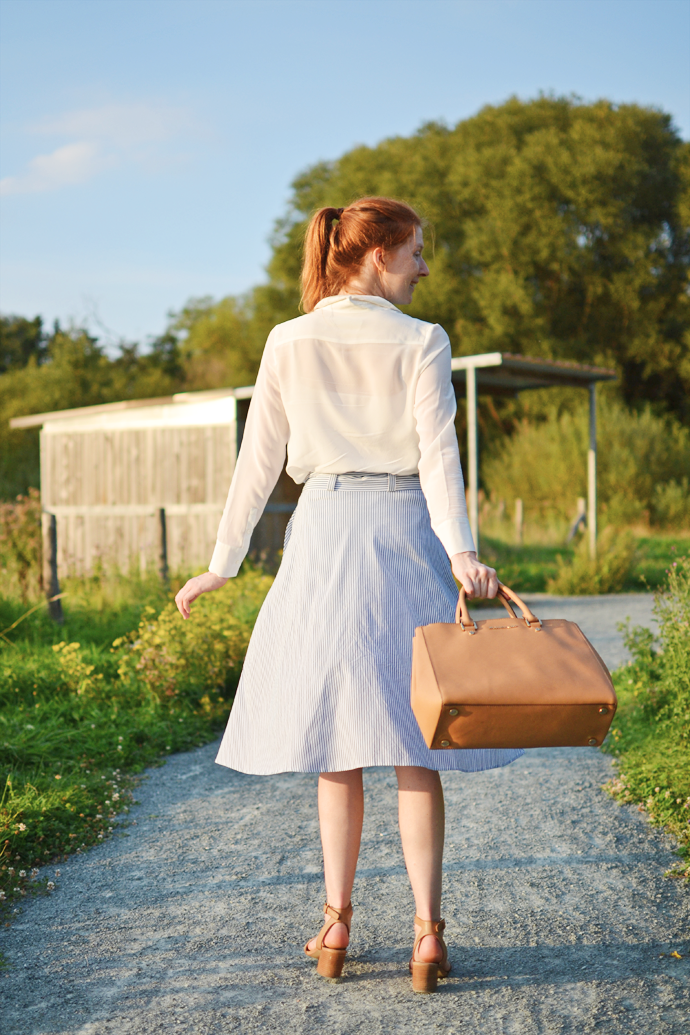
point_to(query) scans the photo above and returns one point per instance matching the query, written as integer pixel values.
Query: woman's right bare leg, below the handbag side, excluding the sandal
(423, 827)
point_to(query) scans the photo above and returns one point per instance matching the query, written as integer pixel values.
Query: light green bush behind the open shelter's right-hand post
(642, 466)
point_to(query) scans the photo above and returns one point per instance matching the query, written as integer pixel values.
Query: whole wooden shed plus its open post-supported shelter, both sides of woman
(146, 481)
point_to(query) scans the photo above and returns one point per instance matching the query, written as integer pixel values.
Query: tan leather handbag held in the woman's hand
(509, 683)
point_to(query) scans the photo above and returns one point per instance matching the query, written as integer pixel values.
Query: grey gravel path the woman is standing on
(192, 922)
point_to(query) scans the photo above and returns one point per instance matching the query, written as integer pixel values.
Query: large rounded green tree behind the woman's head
(559, 229)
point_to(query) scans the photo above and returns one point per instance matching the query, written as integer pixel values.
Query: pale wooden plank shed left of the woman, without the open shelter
(145, 482)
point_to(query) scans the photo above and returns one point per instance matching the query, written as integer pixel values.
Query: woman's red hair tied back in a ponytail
(335, 251)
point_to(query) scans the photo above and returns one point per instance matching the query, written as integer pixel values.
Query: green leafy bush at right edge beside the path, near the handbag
(651, 740)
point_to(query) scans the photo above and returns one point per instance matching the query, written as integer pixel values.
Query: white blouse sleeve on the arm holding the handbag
(440, 470)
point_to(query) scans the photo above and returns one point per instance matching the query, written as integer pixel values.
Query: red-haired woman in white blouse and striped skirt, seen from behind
(362, 398)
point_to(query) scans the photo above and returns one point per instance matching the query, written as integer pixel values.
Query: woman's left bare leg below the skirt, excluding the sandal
(341, 815)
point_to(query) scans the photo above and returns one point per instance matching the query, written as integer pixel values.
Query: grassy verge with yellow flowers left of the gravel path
(86, 706)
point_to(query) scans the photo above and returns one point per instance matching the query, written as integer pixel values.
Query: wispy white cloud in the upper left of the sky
(102, 138)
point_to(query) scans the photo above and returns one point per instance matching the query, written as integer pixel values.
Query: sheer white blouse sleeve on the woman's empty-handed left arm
(259, 464)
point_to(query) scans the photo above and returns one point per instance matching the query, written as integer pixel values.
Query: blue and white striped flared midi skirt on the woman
(326, 681)
